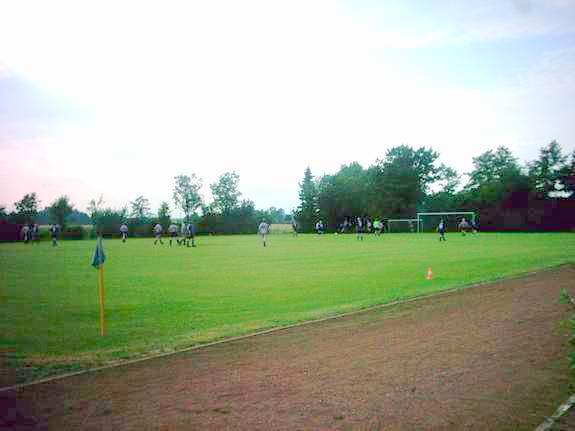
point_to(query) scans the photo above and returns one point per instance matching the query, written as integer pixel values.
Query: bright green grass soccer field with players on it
(160, 298)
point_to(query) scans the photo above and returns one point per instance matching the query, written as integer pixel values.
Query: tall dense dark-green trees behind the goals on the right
(507, 195)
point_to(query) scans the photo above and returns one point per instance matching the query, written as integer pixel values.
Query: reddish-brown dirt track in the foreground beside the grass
(492, 357)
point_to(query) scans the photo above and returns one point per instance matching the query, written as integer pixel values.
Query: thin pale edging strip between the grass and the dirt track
(282, 328)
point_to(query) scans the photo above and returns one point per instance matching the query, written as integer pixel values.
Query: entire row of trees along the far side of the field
(507, 195)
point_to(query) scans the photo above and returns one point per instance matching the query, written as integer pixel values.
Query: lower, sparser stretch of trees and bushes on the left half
(227, 213)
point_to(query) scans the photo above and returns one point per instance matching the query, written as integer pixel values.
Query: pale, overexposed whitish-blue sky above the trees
(115, 98)
